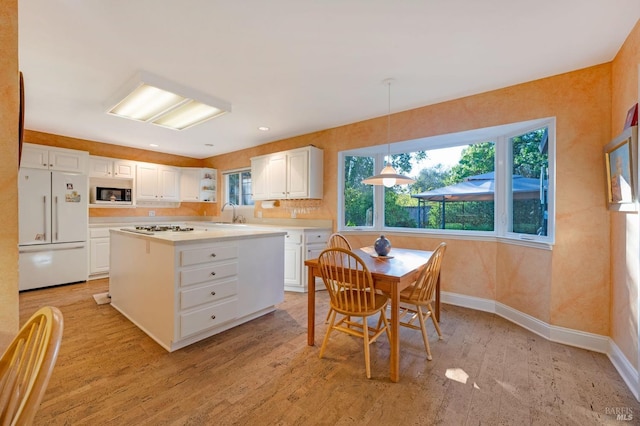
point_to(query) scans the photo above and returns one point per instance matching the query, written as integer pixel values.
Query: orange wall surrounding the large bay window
(560, 286)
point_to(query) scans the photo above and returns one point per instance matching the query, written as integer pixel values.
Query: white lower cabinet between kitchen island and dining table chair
(300, 246)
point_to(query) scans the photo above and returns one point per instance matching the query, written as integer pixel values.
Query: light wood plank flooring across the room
(485, 371)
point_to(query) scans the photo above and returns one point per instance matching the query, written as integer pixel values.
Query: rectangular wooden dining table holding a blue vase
(391, 274)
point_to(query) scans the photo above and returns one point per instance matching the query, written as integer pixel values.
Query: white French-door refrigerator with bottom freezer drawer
(53, 220)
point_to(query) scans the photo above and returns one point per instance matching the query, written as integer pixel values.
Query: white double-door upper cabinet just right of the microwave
(156, 182)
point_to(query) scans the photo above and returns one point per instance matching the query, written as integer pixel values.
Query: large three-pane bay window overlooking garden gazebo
(495, 181)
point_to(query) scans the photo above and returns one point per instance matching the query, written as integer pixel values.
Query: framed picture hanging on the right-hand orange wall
(621, 171)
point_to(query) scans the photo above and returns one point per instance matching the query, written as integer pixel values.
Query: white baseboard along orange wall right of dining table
(566, 336)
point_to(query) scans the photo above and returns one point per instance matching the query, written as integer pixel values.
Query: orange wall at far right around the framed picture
(625, 253)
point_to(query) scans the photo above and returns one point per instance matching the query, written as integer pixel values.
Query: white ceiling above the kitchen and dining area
(297, 66)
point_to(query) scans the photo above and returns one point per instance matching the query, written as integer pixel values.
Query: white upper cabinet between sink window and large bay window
(295, 174)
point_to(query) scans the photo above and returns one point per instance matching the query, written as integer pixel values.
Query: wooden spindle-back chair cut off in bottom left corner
(27, 364)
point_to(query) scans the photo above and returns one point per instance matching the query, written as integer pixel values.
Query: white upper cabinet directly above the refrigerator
(49, 158)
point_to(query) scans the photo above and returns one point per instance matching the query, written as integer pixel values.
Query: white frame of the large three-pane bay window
(501, 136)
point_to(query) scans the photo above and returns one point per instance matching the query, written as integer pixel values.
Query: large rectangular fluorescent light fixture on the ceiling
(152, 99)
